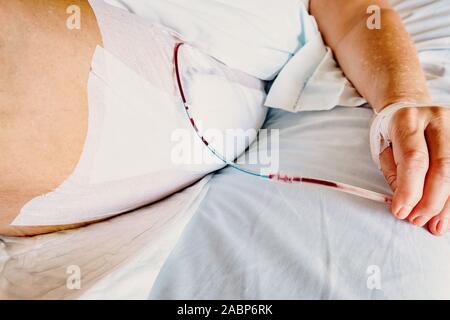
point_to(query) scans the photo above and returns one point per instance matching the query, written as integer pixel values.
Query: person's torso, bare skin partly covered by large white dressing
(88, 137)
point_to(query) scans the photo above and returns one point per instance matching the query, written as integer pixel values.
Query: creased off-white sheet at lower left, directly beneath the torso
(118, 258)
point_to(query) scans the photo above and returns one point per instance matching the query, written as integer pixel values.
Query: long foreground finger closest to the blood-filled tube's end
(411, 156)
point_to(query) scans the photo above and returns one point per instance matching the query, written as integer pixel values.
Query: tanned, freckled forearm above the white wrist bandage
(381, 63)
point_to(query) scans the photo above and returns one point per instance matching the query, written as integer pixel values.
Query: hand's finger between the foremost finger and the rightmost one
(437, 183)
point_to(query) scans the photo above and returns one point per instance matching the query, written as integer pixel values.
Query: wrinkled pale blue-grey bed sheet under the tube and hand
(258, 239)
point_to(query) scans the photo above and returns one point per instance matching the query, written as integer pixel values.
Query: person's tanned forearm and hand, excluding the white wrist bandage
(384, 67)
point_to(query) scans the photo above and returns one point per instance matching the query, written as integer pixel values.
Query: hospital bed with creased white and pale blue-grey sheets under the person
(232, 235)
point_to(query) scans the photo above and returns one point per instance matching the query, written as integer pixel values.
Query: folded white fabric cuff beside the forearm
(312, 80)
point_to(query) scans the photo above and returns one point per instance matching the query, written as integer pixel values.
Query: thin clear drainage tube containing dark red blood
(379, 197)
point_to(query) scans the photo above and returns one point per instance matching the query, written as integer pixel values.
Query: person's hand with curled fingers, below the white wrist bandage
(417, 167)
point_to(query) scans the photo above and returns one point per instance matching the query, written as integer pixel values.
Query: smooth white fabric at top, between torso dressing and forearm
(254, 36)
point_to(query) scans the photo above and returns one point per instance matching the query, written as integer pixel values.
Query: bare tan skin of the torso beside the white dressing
(44, 68)
